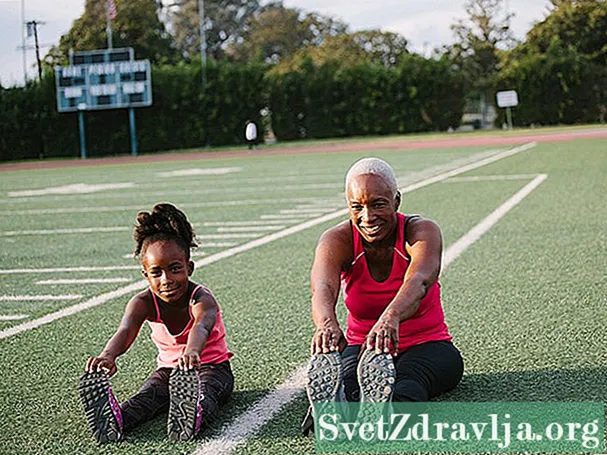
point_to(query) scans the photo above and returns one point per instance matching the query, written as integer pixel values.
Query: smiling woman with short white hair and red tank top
(396, 346)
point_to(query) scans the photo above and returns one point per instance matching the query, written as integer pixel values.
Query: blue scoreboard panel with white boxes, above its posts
(105, 79)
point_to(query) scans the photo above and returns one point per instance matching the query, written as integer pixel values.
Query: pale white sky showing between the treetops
(424, 23)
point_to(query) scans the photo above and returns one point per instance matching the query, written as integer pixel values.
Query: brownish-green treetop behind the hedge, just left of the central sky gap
(277, 32)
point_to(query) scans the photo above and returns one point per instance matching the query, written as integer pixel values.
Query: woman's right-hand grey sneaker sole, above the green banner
(376, 377)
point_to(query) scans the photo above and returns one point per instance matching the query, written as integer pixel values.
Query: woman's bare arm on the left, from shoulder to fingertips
(331, 254)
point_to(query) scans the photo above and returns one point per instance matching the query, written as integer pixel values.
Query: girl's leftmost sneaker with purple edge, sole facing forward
(101, 407)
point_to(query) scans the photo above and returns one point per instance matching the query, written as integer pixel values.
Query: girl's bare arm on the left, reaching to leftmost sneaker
(135, 314)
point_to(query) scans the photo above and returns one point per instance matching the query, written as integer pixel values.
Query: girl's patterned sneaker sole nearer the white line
(185, 410)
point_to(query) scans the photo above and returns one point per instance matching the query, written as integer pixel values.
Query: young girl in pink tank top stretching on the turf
(194, 375)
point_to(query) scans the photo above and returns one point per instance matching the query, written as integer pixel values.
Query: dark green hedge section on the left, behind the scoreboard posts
(180, 117)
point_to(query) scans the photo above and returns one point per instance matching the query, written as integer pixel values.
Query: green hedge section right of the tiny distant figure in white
(329, 101)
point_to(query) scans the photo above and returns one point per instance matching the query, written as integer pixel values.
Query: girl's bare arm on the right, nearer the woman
(204, 310)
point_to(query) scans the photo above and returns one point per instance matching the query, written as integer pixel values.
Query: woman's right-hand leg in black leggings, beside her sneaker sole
(427, 370)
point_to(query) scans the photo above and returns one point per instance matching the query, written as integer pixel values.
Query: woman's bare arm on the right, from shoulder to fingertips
(425, 247)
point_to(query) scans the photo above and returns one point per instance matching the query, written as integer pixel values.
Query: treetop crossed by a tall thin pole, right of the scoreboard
(225, 21)
